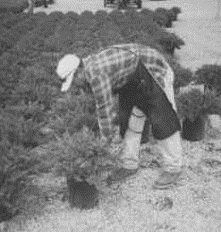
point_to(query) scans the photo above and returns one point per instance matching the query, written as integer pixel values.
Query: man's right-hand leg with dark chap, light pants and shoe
(159, 105)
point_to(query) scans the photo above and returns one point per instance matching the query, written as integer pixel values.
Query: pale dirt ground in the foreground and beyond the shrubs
(193, 207)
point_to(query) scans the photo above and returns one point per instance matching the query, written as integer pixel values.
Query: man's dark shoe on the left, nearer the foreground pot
(120, 174)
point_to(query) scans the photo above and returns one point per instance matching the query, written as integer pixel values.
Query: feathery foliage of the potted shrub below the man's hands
(81, 154)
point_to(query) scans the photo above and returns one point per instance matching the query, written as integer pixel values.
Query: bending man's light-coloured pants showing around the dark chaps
(171, 147)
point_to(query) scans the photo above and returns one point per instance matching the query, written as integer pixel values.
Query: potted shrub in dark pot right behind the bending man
(194, 106)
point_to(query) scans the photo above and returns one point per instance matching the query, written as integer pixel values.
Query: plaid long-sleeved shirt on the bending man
(108, 69)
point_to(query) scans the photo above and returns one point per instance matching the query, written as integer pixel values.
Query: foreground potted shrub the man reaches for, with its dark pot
(86, 164)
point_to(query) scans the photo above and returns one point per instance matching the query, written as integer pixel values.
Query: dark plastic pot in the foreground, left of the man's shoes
(81, 194)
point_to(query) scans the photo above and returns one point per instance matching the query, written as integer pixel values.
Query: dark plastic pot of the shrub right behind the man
(194, 131)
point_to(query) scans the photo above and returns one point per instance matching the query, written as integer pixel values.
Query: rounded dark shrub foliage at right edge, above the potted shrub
(210, 75)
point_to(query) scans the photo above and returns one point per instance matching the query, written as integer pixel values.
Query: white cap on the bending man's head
(66, 68)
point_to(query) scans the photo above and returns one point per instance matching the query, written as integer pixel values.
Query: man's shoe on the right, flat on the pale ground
(167, 180)
